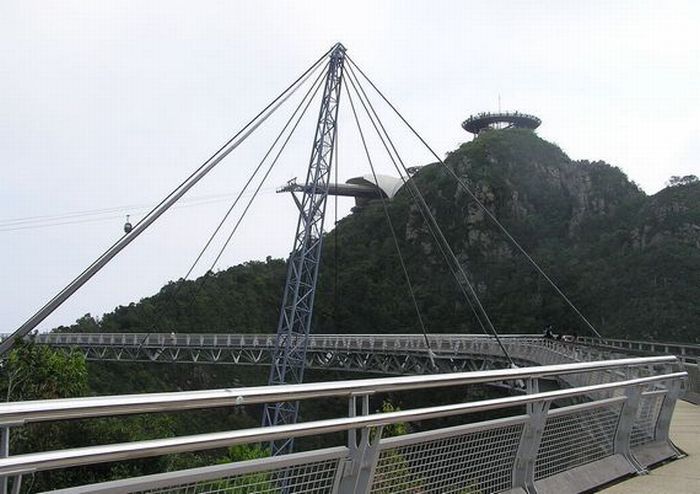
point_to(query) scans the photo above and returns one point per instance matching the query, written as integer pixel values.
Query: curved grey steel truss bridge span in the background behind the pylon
(368, 353)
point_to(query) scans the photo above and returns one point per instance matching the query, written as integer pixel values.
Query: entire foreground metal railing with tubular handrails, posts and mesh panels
(616, 425)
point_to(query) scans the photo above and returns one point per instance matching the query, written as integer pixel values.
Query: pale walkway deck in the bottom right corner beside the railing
(681, 476)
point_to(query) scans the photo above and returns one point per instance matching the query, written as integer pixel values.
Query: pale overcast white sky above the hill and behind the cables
(109, 105)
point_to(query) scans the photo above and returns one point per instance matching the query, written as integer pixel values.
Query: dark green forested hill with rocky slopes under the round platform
(630, 262)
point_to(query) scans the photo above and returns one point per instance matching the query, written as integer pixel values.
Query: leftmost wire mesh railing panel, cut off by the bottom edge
(310, 478)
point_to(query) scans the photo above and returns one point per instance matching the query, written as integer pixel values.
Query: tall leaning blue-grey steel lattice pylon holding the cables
(289, 355)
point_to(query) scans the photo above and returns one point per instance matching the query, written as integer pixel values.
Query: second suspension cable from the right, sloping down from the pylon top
(463, 278)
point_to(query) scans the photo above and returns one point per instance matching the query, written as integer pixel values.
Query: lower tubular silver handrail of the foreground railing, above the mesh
(26, 463)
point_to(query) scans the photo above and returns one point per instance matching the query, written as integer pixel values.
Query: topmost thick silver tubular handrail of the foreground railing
(15, 413)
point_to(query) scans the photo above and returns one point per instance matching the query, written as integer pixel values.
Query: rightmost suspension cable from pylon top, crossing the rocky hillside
(473, 196)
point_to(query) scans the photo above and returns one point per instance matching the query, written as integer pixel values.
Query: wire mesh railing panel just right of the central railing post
(474, 462)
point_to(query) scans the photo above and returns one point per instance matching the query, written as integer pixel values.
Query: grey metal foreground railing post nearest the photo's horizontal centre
(358, 470)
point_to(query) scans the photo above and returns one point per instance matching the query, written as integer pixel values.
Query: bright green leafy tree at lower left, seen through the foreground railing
(37, 372)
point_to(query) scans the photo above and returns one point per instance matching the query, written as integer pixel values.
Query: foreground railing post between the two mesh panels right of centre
(526, 457)
